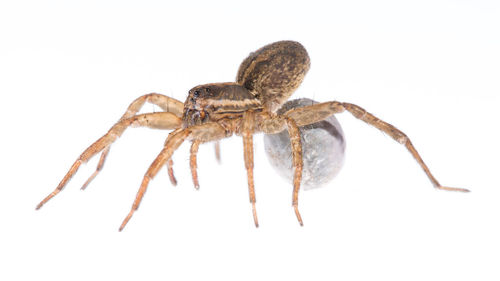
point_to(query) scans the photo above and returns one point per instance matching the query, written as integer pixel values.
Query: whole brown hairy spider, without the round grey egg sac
(265, 80)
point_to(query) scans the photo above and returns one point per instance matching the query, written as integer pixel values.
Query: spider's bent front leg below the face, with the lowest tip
(205, 132)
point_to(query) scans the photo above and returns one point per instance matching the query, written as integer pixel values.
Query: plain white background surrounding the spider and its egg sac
(68, 70)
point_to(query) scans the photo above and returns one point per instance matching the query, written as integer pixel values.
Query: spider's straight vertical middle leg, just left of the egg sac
(247, 134)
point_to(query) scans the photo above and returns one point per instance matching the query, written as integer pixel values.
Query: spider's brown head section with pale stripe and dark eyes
(210, 102)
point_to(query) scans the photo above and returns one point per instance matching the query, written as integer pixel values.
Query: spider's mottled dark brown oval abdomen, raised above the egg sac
(274, 72)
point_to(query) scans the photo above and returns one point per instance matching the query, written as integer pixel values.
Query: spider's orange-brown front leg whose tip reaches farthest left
(159, 120)
